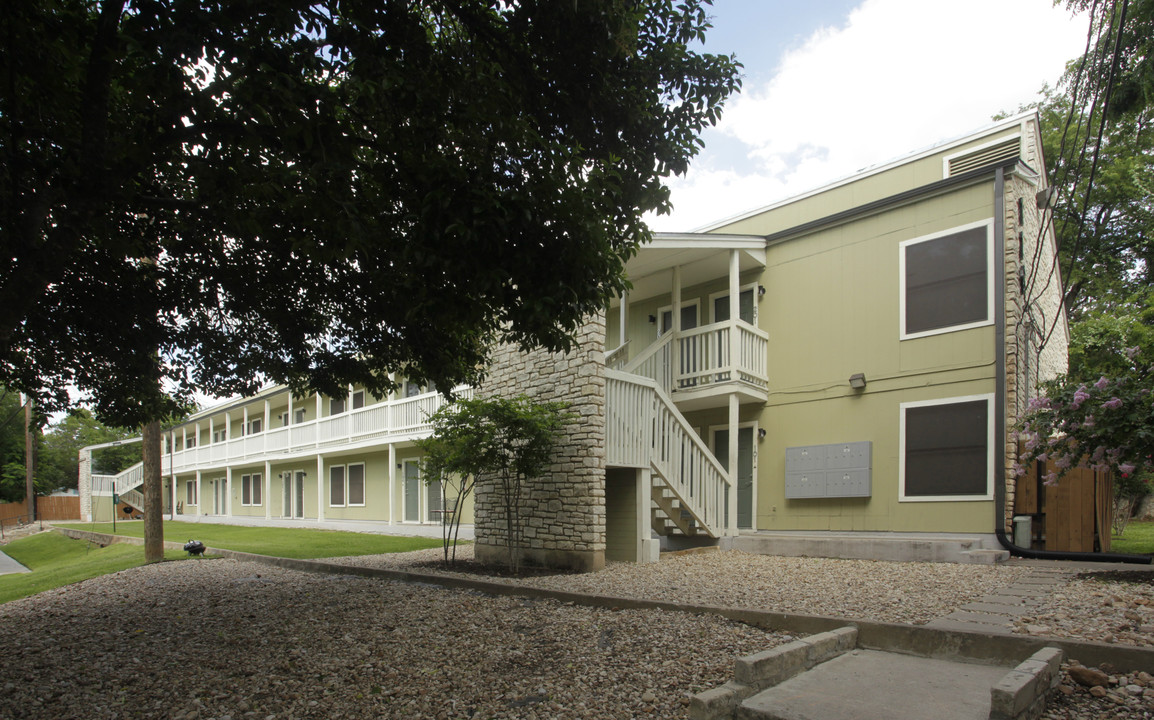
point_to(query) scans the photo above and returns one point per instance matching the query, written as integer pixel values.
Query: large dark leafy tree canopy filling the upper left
(206, 196)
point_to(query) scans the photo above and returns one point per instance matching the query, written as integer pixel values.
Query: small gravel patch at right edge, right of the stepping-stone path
(1111, 607)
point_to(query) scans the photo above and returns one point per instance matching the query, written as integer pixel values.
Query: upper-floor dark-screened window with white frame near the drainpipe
(947, 281)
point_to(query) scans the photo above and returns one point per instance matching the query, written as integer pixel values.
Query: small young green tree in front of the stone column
(503, 442)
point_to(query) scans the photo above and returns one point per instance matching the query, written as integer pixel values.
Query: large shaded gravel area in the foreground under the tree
(229, 640)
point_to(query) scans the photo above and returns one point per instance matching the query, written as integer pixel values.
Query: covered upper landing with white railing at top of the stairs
(691, 322)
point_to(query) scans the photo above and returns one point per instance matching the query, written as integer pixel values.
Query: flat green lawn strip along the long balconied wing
(279, 542)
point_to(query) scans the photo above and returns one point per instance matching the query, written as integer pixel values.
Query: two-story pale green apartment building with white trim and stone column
(835, 374)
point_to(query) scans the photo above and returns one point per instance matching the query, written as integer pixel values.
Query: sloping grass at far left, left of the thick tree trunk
(56, 560)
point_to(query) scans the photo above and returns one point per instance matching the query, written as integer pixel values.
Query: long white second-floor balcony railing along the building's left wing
(396, 421)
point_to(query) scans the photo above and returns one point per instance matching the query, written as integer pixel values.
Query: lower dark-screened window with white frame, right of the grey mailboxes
(948, 449)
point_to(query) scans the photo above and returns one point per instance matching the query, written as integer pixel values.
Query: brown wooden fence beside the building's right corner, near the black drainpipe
(1076, 515)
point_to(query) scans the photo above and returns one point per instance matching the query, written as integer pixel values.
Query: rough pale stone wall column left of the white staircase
(564, 512)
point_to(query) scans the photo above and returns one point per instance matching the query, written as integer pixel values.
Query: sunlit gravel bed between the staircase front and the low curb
(912, 594)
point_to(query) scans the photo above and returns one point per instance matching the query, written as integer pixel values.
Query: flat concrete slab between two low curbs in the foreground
(868, 685)
